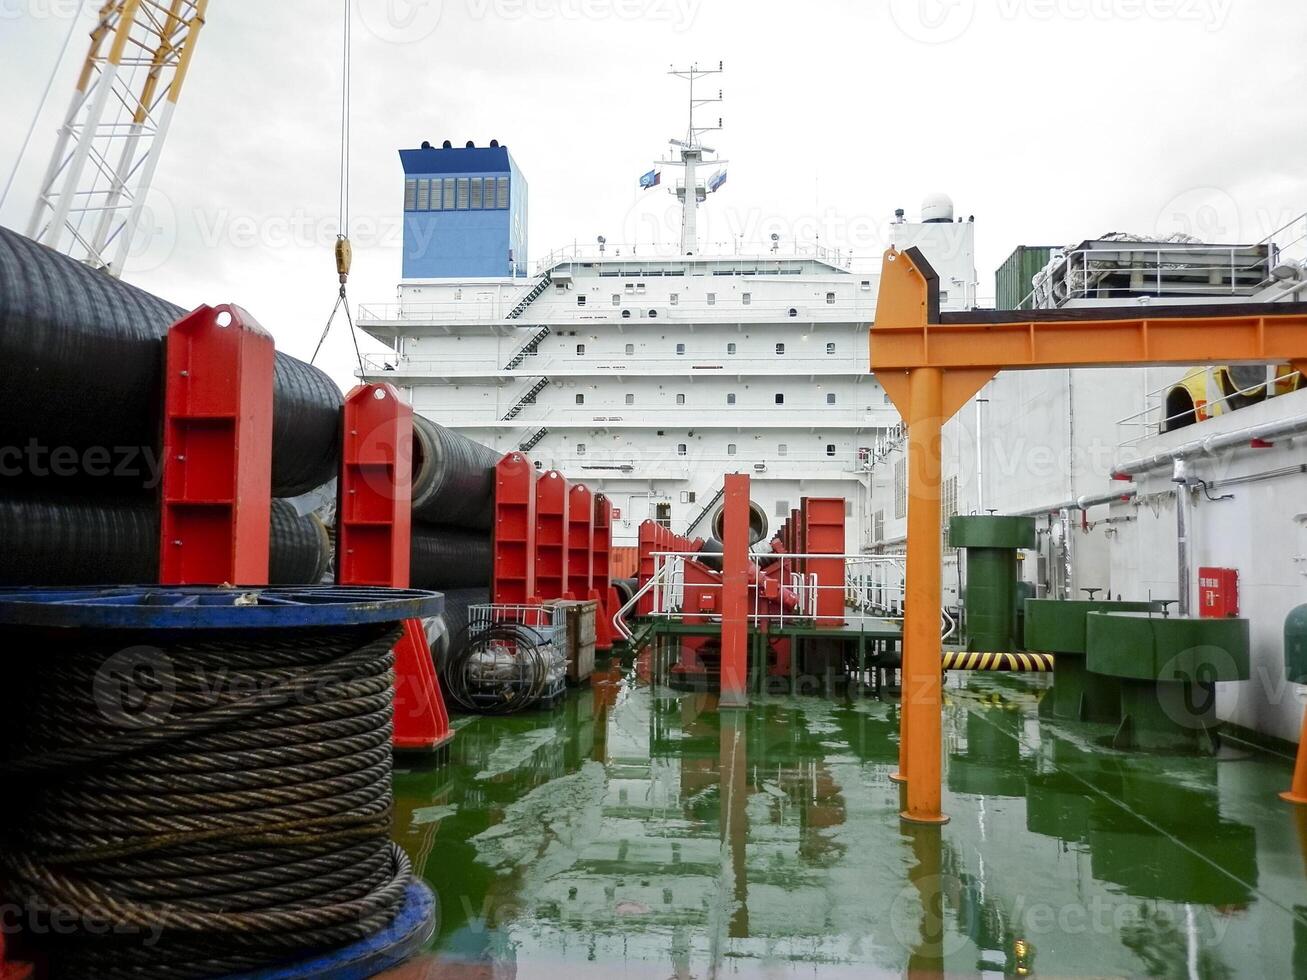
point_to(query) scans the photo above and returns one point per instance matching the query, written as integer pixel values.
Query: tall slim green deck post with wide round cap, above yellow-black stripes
(993, 593)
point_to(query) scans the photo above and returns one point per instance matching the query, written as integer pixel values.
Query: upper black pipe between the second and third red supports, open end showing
(453, 478)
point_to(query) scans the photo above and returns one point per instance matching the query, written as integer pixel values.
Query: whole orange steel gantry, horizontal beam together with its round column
(933, 364)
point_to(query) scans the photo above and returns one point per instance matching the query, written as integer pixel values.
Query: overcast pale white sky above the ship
(1050, 121)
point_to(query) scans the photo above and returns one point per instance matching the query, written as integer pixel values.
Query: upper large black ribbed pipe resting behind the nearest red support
(82, 368)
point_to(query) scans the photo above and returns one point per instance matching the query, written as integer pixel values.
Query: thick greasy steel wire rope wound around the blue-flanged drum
(222, 804)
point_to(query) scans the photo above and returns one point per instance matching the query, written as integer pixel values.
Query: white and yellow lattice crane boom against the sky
(109, 146)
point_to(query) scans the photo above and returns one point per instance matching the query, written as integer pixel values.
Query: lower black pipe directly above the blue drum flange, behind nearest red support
(88, 542)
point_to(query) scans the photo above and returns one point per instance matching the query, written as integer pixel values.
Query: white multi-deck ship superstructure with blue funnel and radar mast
(641, 372)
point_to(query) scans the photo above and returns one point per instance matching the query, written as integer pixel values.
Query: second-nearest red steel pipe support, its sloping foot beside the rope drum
(373, 543)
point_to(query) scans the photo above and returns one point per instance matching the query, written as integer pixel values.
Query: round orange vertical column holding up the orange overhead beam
(921, 725)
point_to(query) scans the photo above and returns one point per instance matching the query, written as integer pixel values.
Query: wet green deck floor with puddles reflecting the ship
(645, 834)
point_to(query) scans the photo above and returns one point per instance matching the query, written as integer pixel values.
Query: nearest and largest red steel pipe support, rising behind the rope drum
(218, 450)
